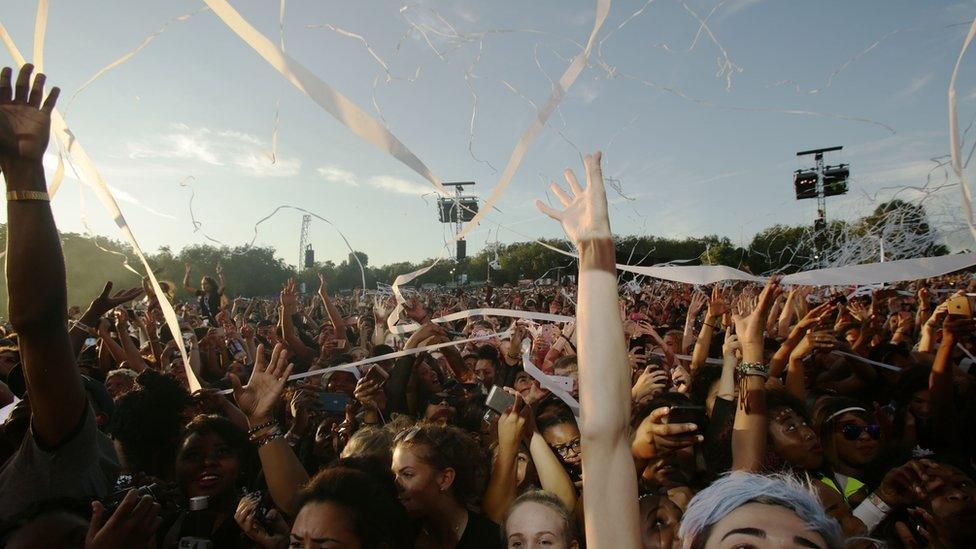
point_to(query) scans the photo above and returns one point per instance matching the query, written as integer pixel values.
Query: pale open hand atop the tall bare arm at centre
(585, 215)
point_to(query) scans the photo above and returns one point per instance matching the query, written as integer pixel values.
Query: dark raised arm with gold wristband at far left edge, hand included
(38, 297)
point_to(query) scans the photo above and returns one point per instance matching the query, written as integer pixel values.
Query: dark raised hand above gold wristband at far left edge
(25, 124)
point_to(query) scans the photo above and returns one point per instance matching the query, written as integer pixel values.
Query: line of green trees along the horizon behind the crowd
(256, 271)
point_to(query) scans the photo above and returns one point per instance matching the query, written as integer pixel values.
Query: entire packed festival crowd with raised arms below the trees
(657, 414)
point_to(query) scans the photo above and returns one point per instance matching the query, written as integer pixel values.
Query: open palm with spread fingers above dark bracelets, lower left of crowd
(258, 398)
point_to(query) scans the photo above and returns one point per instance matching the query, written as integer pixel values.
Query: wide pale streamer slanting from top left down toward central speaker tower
(327, 97)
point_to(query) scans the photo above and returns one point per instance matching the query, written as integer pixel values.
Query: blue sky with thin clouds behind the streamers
(696, 131)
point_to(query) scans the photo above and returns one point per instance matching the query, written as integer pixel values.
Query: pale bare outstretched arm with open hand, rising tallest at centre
(608, 468)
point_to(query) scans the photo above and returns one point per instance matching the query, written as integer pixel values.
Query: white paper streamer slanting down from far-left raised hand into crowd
(91, 176)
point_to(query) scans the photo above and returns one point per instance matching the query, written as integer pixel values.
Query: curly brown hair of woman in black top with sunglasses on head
(448, 447)
